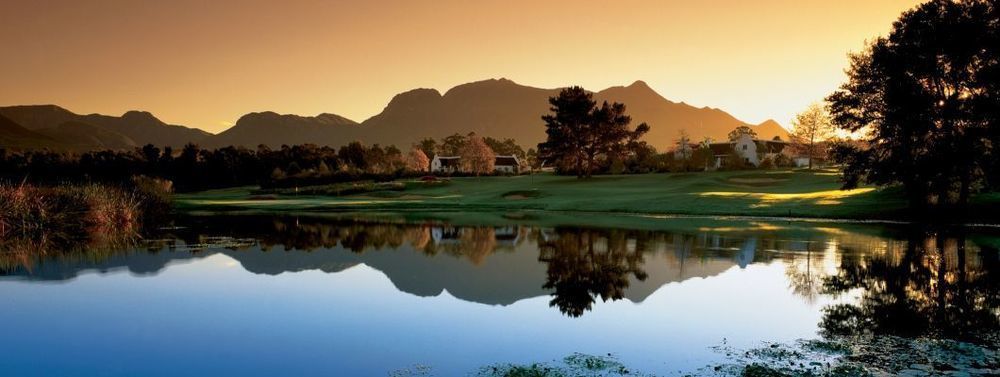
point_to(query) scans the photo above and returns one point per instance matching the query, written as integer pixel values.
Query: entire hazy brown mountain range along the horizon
(498, 108)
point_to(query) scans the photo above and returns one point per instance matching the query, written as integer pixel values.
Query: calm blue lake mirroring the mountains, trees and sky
(269, 296)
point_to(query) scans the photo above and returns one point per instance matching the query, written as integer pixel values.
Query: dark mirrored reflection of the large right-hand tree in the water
(933, 285)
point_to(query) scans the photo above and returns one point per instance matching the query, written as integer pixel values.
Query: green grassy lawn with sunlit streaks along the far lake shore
(796, 193)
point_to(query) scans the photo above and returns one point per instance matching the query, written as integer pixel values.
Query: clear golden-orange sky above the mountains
(206, 63)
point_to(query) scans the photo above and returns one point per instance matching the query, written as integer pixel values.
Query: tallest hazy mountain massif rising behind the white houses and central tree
(502, 108)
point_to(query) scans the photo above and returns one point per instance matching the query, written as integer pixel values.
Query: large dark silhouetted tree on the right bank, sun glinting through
(926, 100)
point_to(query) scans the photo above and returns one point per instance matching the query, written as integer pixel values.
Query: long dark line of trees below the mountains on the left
(193, 168)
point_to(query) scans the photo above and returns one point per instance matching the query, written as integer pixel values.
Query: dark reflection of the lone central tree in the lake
(586, 263)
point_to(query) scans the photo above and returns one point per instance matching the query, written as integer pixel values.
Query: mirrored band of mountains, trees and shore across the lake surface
(896, 280)
